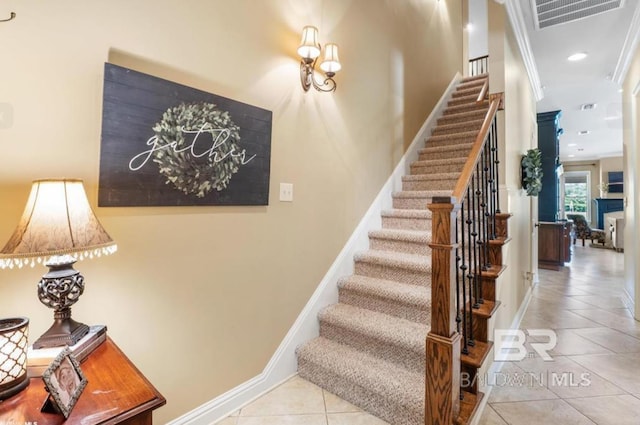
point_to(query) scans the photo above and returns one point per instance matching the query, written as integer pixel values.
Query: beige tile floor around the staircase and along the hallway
(593, 378)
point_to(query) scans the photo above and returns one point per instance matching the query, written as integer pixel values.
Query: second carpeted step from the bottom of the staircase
(393, 335)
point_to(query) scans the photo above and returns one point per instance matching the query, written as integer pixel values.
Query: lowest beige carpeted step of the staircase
(390, 392)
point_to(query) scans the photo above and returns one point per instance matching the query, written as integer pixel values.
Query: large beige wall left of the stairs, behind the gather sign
(201, 297)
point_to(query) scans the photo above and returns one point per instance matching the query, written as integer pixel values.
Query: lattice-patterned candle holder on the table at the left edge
(13, 356)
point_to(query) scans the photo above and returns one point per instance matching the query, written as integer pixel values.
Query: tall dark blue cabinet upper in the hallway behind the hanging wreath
(549, 207)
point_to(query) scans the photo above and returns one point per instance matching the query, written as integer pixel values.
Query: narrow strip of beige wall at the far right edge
(631, 133)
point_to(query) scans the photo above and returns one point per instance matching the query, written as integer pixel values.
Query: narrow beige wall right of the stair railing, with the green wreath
(518, 123)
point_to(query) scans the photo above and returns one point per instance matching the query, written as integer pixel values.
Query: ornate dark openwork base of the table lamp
(59, 289)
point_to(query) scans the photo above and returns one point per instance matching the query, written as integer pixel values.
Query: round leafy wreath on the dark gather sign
(215, 162)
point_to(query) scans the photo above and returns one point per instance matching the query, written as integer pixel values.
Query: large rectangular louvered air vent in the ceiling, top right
(554, 12)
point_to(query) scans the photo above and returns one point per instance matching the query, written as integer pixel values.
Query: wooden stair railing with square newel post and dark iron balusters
(462, 226)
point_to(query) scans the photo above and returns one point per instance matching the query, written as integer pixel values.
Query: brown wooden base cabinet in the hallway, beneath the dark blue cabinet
(554, 244)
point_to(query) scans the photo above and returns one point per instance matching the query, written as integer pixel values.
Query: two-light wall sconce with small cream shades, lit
(310, 50)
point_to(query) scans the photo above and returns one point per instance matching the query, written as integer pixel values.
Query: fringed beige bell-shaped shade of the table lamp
(56, 221)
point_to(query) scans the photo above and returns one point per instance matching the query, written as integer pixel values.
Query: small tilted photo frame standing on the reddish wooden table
(64, 381)
